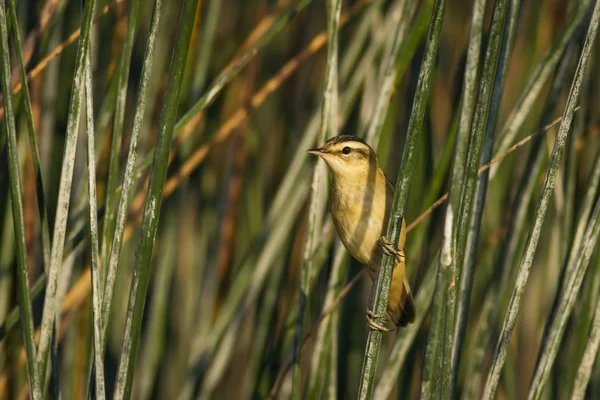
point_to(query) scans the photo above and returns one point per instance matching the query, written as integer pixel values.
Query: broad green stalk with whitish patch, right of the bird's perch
(437, 379)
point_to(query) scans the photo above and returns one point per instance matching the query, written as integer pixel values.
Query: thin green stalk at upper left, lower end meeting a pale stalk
(35, 154)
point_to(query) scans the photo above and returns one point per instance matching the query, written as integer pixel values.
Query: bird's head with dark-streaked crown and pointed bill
(347, 155)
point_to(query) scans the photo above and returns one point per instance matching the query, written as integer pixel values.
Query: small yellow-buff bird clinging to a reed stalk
(360, 199)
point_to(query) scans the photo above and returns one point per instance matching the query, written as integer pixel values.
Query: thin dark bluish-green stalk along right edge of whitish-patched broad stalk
(466, 280)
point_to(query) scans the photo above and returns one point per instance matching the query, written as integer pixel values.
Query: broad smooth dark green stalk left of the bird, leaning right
(139, 285)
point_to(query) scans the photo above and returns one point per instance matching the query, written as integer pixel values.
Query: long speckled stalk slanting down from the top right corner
(540, 212)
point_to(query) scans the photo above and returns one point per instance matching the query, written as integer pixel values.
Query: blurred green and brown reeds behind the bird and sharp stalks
(221, 316)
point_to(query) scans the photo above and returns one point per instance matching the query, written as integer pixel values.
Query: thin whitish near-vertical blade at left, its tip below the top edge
(93, 225)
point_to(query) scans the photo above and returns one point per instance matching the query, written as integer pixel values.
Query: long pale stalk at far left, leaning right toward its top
(64, 192)
